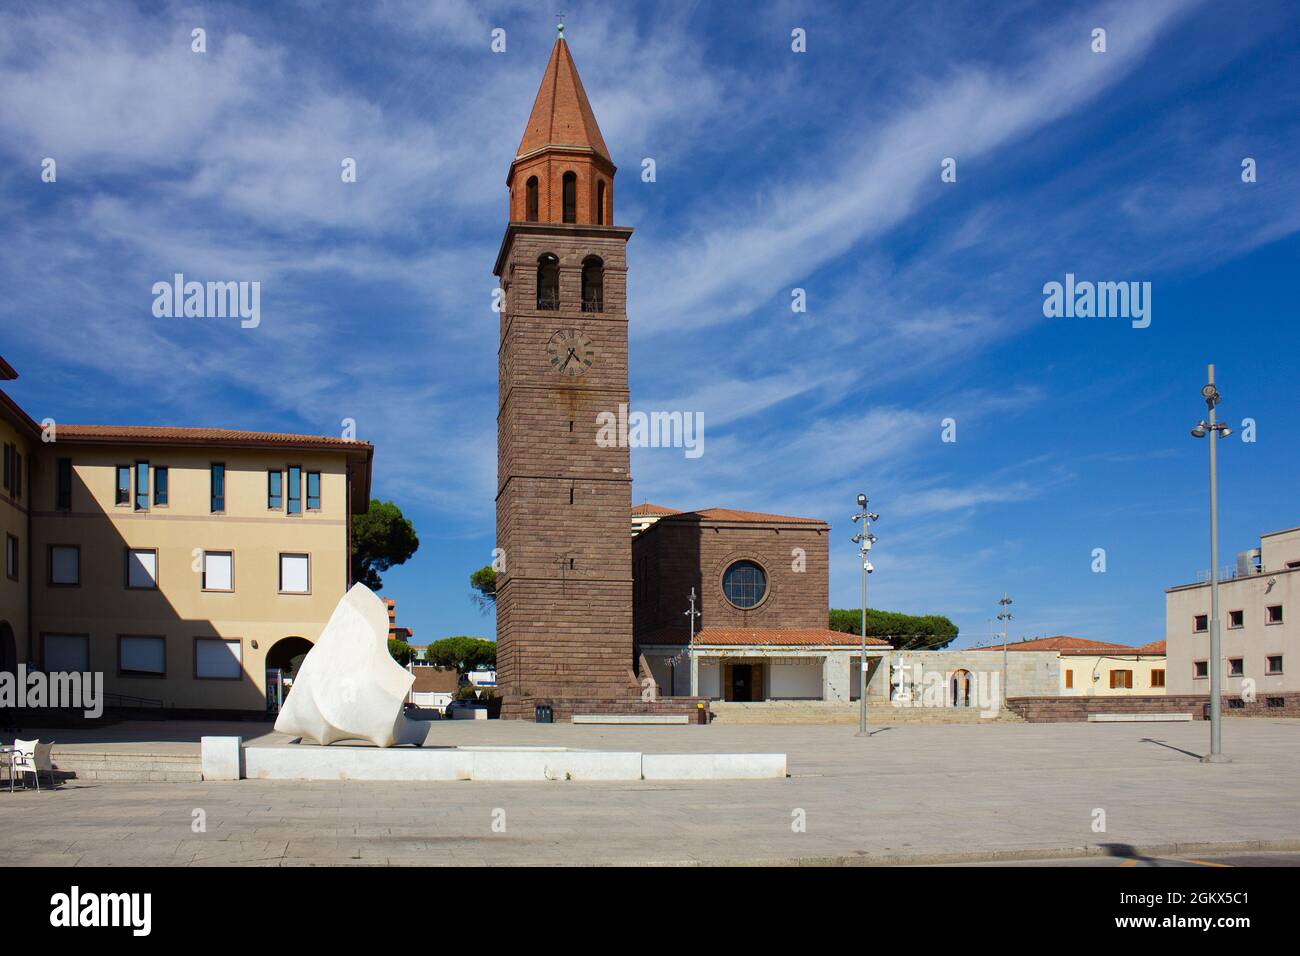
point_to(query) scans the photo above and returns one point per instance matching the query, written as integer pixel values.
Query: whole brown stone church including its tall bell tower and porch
(590, 618)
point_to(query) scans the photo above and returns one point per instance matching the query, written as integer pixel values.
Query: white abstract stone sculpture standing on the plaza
(349, 687)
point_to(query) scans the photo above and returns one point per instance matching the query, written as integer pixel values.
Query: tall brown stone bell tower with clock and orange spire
(564, 498)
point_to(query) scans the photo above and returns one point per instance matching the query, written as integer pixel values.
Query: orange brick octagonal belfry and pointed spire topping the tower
(562, 172)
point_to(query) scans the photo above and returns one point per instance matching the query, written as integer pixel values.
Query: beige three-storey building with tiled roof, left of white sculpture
(183, 564)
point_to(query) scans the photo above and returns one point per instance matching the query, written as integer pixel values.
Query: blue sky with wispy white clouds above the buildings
(775, 171)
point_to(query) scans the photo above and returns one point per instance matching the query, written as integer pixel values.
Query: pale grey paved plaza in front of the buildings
(909, 794)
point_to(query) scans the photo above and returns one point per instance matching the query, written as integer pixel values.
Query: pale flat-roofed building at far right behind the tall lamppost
(1259, 637)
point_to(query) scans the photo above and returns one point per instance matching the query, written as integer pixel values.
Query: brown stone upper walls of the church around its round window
(688, 551)
